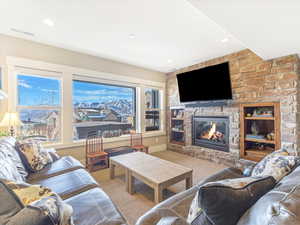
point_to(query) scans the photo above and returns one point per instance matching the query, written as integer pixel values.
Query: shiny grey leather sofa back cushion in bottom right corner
(279, 206)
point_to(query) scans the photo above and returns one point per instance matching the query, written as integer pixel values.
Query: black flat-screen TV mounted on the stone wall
(206, 84)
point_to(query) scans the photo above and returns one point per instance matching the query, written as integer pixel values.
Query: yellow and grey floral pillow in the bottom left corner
(44, 199)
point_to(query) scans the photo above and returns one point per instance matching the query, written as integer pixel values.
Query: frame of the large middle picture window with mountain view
(108, 83)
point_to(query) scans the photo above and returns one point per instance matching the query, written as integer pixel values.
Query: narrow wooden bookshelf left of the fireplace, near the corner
(177, 134)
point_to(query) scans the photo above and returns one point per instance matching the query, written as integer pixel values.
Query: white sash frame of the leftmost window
(59, 108)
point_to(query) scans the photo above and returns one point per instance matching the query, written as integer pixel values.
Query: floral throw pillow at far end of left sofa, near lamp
(32, 155)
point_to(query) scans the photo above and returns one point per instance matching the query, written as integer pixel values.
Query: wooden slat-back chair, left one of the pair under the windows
(96, 158)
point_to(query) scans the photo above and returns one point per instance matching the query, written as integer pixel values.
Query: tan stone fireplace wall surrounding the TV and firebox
(253, 80)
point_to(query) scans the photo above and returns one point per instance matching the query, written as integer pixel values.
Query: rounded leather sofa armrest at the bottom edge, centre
(162, 216)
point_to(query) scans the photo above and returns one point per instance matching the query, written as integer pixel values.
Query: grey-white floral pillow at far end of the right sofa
(277, 164)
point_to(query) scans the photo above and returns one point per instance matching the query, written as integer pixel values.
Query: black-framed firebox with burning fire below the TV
(211, 132)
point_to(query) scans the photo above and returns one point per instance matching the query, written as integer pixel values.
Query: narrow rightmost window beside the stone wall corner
(152, 109)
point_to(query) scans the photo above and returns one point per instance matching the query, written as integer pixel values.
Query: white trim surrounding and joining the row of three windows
(67, 74)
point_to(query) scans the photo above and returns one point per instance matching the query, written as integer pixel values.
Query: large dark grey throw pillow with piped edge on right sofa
(224, 202)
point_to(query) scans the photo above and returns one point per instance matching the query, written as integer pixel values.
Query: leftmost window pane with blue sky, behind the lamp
(39, 106)
